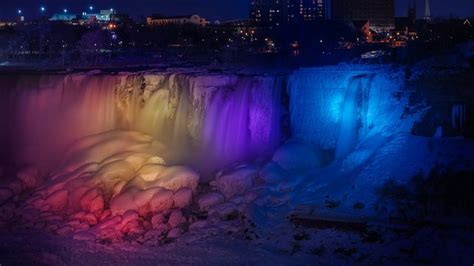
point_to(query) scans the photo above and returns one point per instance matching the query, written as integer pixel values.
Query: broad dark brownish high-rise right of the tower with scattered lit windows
(380, 13)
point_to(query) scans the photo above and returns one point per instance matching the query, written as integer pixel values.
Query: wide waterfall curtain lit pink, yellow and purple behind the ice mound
(205, 120)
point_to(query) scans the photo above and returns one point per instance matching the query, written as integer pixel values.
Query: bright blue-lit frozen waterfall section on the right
(335, 107)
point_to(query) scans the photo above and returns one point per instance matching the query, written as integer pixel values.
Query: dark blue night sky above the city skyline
(212, 9)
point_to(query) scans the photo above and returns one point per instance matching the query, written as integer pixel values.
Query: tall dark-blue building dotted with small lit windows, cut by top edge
(275, 13)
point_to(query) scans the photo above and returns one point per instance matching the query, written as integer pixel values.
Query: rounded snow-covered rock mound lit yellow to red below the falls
(109, 182)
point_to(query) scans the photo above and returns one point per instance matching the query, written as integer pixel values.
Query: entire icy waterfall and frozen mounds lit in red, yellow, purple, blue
(136, 155)
